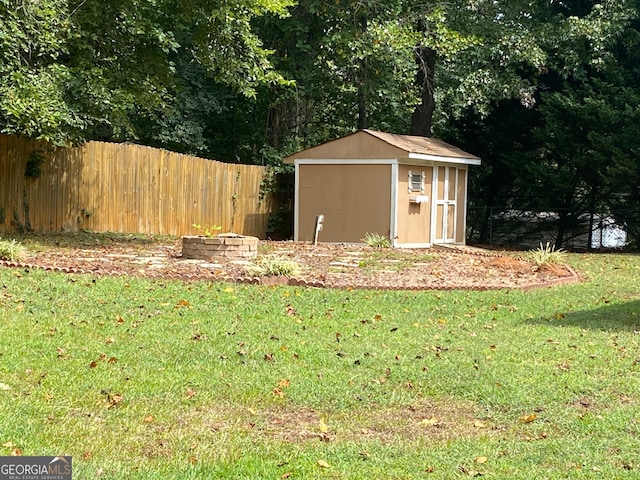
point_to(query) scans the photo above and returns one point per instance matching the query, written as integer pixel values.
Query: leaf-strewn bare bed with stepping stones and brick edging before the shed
(336, 266)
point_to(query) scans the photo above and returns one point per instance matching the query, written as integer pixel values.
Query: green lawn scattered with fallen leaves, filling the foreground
(145, 379)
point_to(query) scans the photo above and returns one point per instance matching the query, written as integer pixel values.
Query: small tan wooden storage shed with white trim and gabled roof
(411, 189)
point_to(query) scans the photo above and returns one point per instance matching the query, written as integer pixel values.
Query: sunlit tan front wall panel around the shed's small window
(414, 220)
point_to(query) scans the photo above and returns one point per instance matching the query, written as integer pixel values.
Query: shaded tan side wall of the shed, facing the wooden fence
(354, 199)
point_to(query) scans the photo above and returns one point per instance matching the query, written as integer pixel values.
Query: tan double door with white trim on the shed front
(445, 187)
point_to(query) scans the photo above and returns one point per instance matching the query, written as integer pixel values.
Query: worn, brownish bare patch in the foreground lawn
(427, 421)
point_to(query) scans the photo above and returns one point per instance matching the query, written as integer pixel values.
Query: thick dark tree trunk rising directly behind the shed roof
(422, 117)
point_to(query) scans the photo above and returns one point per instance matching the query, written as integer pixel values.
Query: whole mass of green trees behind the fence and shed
(546, 92)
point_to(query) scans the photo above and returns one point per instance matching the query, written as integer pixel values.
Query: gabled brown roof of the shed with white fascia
(371, 144)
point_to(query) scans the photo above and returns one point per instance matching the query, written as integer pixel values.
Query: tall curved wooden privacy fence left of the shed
(107, 187)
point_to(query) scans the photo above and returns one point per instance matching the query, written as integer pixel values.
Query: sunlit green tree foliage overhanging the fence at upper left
(72, 70)
